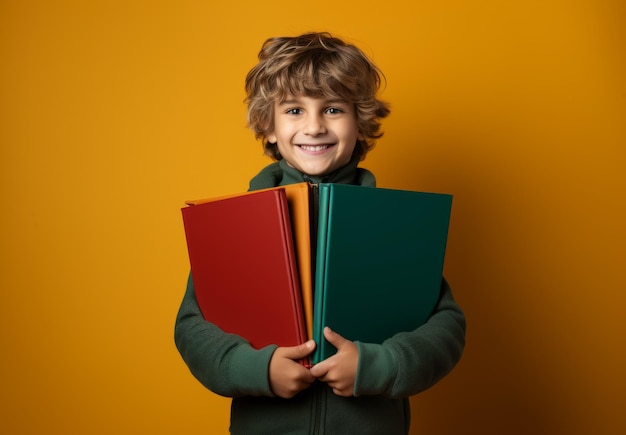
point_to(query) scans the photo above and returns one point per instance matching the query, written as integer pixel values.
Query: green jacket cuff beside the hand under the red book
(250, 370)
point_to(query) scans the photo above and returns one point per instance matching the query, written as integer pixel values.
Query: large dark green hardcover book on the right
(379, 264)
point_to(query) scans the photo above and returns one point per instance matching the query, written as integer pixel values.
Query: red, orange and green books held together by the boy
(276, 266)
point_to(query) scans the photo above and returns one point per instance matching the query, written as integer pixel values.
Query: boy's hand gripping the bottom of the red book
(288, 377)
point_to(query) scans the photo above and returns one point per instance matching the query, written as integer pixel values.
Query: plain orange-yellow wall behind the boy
(112, 113)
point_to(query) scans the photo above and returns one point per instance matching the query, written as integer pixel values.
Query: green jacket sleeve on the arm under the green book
(410, 362)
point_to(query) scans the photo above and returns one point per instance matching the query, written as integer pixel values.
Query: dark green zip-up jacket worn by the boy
(387, 373)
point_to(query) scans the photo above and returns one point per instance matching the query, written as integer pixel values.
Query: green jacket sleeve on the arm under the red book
(224, 363)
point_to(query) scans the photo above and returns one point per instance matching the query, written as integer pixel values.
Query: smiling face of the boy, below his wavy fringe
(315, 135)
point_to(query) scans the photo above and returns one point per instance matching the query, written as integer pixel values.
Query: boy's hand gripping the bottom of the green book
(339, 370)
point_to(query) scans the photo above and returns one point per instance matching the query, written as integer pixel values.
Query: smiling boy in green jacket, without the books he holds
(312, 101)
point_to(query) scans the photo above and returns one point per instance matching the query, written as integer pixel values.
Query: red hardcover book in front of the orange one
(244, 269)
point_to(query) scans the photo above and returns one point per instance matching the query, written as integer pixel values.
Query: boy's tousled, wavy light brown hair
(314, 65)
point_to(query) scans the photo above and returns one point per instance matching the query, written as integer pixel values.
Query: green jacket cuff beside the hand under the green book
(376, 371)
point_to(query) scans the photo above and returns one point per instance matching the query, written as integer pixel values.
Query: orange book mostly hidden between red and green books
(298, 199)
